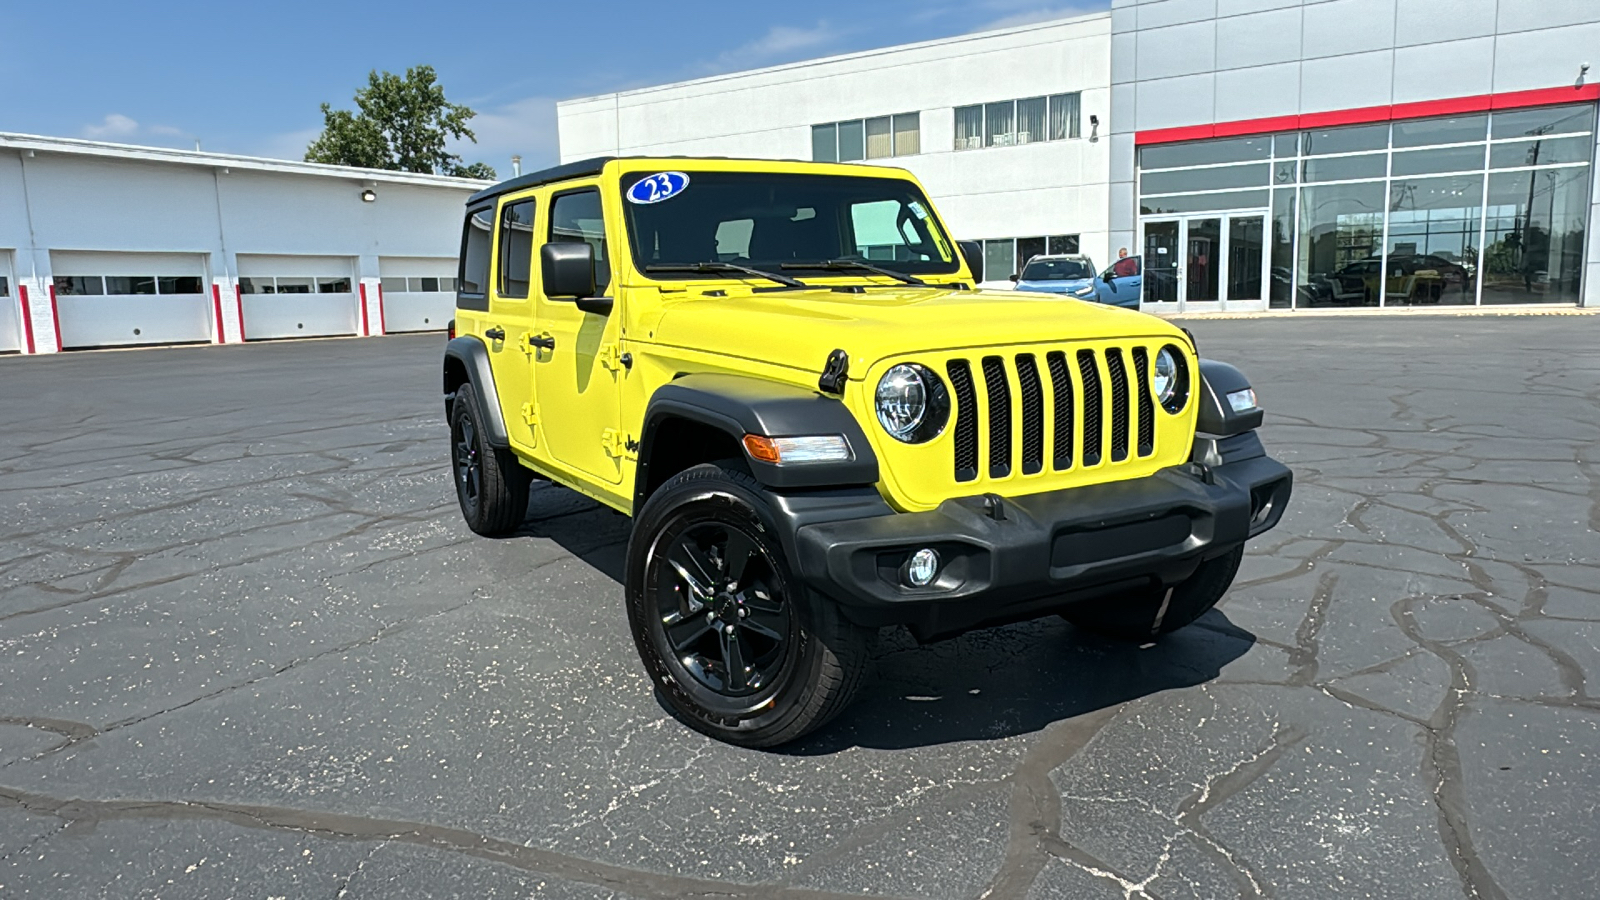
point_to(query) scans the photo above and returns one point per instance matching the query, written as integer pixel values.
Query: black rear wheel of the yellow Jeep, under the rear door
(490, 483)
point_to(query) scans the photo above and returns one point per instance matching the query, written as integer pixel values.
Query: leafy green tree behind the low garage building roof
(401, 124)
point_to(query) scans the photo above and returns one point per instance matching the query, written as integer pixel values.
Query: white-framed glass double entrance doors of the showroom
(1214, 262)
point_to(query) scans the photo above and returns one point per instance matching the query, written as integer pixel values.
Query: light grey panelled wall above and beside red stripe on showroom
(1178, 63)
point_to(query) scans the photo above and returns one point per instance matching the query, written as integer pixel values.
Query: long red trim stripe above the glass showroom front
(1372, 115)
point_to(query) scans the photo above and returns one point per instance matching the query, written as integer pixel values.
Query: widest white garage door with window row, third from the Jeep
(130, 299)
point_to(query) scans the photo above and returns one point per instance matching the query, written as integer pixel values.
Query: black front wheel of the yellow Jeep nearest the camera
(738, 648)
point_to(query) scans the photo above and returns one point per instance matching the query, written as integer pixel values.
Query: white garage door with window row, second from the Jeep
(298, 297)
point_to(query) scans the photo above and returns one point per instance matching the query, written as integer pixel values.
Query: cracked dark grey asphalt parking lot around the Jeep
(249, 649)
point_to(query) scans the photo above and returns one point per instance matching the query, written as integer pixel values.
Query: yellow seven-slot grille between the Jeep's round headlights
(1095, 398)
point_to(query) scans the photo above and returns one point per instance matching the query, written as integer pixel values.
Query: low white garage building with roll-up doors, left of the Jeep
(118, 246)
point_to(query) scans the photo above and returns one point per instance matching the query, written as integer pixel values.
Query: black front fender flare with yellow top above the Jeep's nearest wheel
(738, 406)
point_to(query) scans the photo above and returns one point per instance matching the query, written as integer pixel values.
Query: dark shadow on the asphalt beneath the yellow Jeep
(988, 685)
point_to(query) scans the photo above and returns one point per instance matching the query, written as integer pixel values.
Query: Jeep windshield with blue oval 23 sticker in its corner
(774, 222)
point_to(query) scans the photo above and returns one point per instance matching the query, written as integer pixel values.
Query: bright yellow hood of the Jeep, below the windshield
(801, 327)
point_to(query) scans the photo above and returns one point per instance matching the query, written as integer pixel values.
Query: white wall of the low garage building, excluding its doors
(94, 198)
